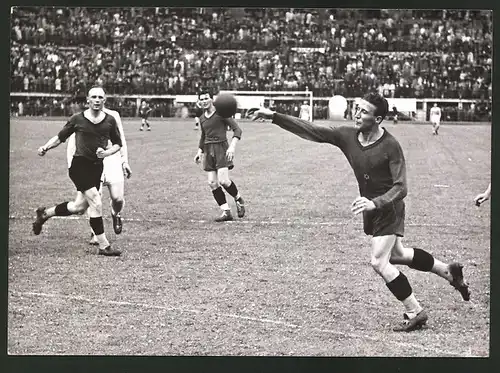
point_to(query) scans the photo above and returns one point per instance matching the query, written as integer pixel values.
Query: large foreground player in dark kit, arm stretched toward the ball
(379, 166)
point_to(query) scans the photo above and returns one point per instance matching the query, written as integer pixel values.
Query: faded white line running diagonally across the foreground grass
(284, 324)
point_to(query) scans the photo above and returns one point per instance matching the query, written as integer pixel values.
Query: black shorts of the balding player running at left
(85, 173)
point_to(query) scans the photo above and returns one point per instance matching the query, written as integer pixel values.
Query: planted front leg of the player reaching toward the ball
(397, 282)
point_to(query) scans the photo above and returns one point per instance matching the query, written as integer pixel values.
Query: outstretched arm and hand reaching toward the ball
(300, 127)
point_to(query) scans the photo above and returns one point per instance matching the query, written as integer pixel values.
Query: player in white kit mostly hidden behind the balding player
(115, 167)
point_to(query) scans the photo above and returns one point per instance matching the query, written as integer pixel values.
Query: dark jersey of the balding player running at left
(90, 136)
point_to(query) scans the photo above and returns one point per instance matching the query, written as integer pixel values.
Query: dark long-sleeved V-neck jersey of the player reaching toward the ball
(379, 168)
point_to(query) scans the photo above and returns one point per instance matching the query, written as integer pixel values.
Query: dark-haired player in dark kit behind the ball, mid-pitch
(218, 155)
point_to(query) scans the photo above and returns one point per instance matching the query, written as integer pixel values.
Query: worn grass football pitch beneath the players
(291, 278)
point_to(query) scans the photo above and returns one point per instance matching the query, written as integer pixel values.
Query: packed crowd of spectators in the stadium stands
(328, 51)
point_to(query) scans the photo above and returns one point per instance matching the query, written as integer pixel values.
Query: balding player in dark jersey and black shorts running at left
(93, 129)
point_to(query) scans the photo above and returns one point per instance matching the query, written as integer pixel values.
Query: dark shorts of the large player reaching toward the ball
(386, 221)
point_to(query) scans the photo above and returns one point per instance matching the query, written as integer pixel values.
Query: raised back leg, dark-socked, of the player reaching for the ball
(421, 260)
